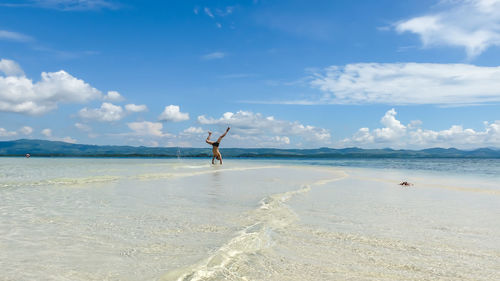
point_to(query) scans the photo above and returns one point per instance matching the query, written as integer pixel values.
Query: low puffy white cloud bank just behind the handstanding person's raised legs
(256, 128)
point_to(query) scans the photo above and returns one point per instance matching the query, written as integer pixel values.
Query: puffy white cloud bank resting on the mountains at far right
(396, 135)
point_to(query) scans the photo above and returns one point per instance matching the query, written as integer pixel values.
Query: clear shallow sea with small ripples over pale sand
(266, 219)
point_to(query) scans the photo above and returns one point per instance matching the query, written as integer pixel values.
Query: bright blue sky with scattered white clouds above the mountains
(287, 74)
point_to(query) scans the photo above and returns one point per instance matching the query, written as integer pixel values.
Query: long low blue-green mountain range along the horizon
(63, 149)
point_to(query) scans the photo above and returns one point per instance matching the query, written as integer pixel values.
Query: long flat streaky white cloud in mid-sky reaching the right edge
(409, 83)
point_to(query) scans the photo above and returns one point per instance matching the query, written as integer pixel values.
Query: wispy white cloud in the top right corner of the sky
(471, 24)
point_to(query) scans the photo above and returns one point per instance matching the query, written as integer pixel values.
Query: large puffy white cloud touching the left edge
(19, 94)
